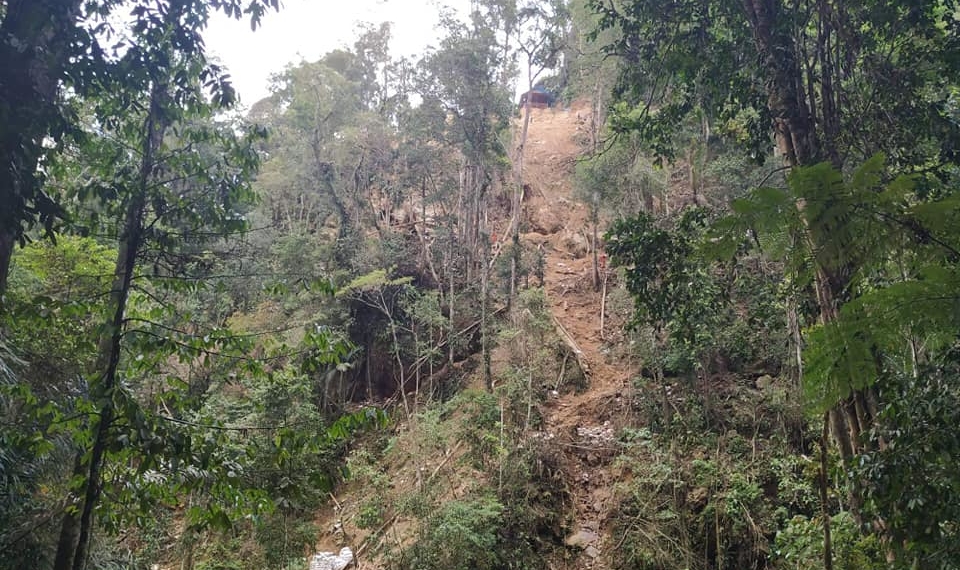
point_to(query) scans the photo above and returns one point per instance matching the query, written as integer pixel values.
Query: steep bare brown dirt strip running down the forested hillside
(584, 423)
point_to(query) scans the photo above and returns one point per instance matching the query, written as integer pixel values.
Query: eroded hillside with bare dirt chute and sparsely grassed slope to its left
(581, 399)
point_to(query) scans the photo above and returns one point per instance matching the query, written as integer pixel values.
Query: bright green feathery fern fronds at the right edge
(895, 254)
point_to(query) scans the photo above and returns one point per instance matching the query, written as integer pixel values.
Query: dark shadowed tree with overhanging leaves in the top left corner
(48, 46)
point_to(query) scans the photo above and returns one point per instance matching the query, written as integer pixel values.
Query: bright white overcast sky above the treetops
(307, 29)
